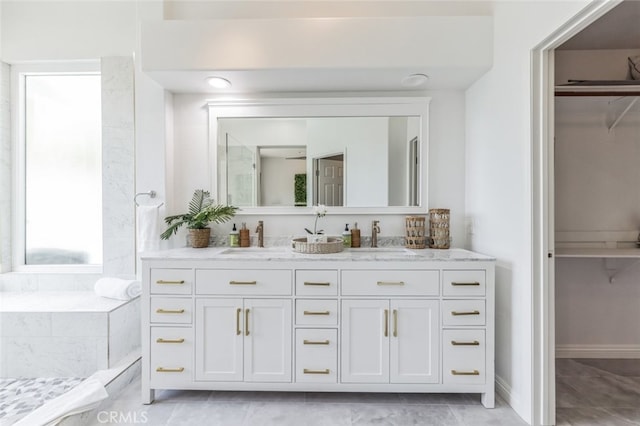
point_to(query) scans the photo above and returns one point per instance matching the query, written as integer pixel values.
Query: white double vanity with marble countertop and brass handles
(363, 320)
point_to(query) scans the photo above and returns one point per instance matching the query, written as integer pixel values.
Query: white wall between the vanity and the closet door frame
(498, 179)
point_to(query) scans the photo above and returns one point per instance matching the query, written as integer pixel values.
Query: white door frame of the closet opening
(542, 202)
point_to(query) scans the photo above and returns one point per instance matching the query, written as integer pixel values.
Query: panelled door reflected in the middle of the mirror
(329, 185)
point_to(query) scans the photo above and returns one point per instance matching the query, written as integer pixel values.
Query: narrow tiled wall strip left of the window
(5, 167)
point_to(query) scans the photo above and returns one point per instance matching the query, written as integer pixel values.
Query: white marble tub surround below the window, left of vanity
(65, 334)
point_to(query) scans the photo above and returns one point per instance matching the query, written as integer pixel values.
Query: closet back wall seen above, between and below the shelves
(597, 199)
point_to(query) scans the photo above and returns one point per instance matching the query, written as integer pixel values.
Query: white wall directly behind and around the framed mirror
(445, 158)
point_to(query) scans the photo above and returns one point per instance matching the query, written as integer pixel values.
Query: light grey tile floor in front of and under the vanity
(176, 408)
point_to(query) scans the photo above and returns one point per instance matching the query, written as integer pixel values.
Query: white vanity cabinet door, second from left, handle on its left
(267, 351)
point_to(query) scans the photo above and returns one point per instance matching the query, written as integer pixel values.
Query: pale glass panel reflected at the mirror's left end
(241, 174)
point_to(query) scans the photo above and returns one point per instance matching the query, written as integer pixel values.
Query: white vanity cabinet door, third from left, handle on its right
(365, 341)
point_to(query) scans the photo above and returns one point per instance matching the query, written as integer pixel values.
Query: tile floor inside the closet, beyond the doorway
(597, 392)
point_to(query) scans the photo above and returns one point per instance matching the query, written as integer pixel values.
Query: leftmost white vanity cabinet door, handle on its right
(219, 339)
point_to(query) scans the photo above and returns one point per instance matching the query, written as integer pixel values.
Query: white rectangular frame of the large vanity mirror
(324, 107)
